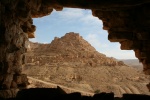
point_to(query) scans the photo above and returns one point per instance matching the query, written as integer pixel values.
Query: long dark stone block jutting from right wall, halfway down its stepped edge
(119, 36)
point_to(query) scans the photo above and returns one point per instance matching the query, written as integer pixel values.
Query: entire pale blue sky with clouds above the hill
(81, 21)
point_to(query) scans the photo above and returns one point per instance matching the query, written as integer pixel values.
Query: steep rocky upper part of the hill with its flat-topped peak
(69, 48)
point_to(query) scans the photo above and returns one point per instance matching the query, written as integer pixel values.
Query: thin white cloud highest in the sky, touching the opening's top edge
(82, 15)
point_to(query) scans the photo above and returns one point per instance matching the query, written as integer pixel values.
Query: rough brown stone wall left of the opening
(15, 26)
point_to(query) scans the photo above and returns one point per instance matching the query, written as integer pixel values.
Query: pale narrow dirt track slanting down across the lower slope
(63, 87)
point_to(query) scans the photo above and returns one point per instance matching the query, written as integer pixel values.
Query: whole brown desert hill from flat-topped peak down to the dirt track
(71, 61)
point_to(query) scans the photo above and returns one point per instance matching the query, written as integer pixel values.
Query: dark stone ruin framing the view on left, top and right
(127, 22)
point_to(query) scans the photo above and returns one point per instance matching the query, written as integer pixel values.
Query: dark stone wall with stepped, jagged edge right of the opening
(130, 27)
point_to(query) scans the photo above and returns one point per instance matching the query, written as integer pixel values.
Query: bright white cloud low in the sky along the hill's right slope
(109, 49)
